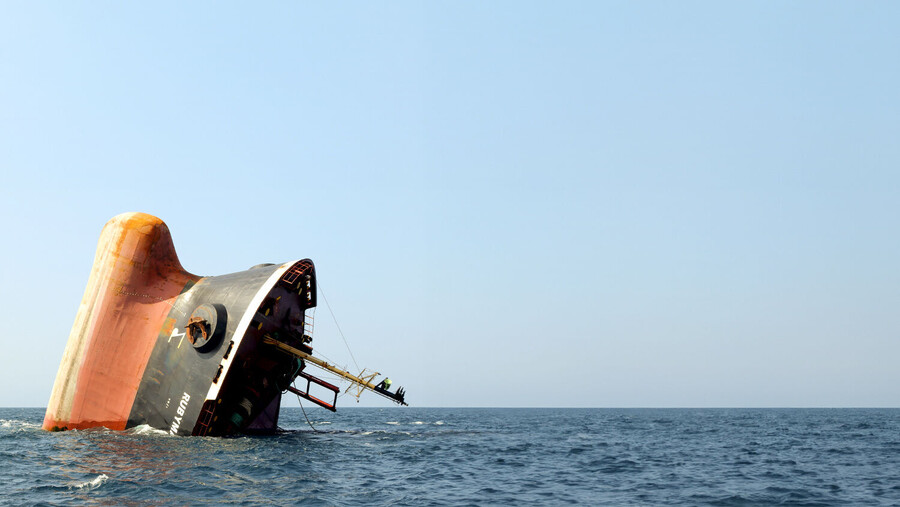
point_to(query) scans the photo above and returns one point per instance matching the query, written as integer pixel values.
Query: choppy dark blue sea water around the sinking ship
(444, 456)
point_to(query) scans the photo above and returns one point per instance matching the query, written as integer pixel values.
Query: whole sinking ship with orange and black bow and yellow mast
(153, 344)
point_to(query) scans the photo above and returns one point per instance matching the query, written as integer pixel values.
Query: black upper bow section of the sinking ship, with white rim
(209, 372)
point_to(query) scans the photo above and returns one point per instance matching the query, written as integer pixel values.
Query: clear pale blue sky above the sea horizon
(549, 204)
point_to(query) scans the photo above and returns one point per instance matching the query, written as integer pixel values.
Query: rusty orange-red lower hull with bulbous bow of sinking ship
(135, 278)
